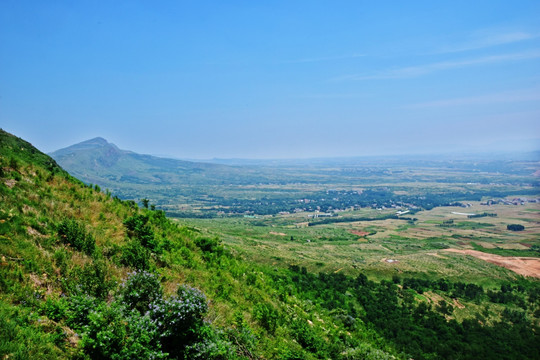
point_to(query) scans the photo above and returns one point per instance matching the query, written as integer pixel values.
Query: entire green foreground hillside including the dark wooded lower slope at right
(85, 275)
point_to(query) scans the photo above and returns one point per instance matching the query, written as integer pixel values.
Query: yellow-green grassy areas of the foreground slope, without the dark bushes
(37, 268)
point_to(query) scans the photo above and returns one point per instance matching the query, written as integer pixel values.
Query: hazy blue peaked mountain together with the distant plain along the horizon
(175, 184)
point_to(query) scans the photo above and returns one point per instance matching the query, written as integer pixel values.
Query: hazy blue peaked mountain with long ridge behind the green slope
(100, 162)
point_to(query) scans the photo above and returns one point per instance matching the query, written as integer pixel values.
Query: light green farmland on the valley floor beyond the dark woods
(383, 248)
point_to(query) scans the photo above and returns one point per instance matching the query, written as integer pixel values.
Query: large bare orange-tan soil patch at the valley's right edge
(526, 266)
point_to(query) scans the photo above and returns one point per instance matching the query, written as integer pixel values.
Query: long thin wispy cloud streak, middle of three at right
(415, 71)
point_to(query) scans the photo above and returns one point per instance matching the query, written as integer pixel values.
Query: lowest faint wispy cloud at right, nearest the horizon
(504, 97)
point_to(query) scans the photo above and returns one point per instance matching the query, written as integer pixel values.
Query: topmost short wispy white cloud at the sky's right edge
(485, 40)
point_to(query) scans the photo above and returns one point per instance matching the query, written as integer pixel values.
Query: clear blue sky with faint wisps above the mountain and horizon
(273, 79)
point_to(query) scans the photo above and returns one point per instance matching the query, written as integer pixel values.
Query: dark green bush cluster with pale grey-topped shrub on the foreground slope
(140, 323)
